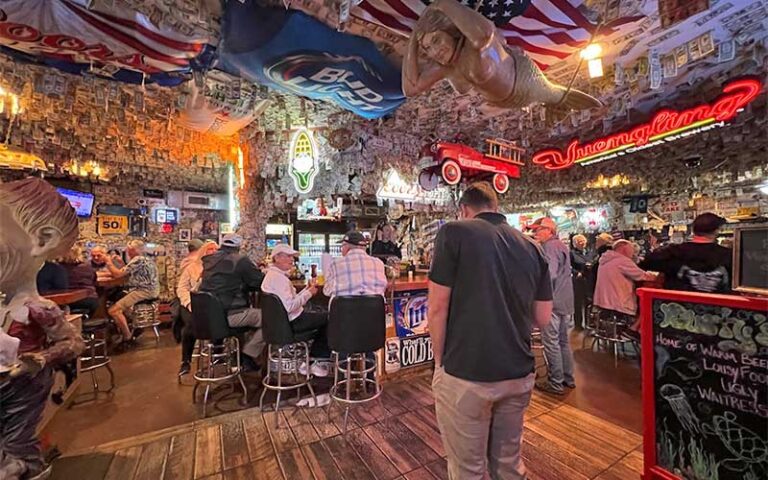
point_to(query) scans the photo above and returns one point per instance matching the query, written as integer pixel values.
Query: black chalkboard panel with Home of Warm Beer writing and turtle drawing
(710, 390)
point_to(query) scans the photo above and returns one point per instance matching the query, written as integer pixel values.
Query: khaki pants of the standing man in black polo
(481, 424)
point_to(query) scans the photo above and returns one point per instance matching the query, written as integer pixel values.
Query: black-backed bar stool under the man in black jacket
(219, 355)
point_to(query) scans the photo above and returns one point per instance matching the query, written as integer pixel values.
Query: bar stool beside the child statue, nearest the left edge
(95, 354)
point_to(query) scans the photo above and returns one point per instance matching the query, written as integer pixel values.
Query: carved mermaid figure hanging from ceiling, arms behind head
(465, 48)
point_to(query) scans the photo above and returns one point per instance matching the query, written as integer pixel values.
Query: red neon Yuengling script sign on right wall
(665, 124)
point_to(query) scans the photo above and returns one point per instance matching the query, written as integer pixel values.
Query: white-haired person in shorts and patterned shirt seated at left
(142, 283)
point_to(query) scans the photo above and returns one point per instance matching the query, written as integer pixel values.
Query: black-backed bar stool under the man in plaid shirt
(356, 327)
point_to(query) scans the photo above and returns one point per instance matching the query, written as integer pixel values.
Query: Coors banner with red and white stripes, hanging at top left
(113, 42)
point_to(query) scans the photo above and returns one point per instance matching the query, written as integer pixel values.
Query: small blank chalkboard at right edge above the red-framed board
(751, 259)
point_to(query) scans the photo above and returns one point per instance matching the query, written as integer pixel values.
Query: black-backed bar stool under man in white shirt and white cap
(284, 348)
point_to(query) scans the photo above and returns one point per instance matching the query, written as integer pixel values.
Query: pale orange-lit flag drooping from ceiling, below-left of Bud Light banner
(219, 104)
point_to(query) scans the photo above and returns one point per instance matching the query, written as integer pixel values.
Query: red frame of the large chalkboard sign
(651, 469)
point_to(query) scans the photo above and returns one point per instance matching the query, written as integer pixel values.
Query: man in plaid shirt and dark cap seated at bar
(355, 272)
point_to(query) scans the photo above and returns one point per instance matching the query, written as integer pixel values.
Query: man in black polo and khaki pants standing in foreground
(487, 286)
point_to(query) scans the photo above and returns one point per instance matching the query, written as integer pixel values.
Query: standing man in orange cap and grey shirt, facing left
(555, 335)
